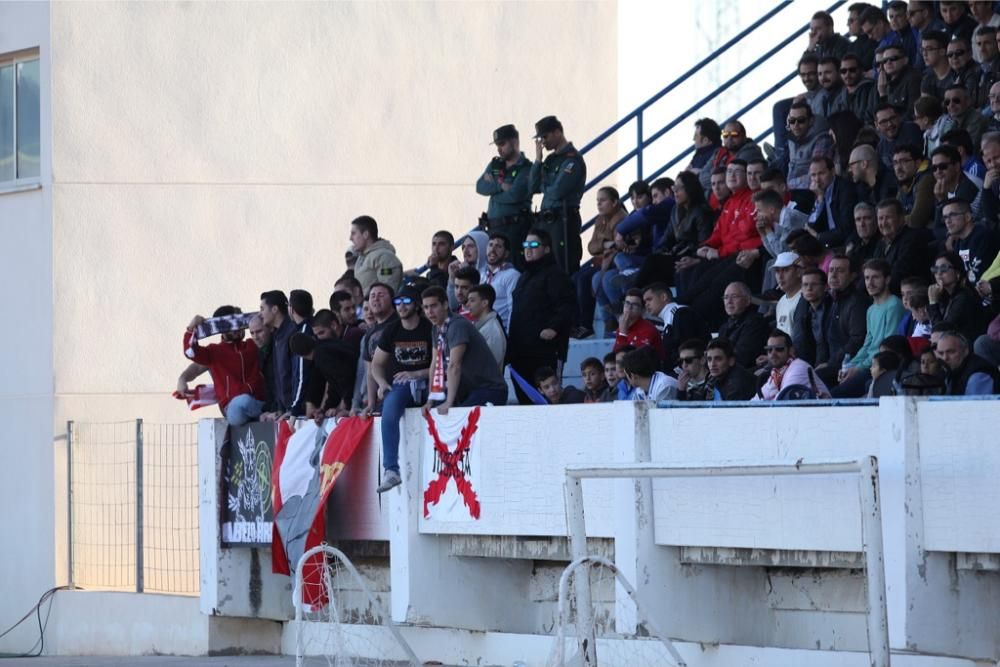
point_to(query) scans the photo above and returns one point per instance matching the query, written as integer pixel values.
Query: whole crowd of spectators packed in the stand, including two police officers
(855, 256)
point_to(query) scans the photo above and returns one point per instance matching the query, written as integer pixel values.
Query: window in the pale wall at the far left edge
(19, 119)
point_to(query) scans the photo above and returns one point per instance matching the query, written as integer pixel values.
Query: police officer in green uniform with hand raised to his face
(560, 179)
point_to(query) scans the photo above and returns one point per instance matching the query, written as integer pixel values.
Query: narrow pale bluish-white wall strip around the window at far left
(26, 405)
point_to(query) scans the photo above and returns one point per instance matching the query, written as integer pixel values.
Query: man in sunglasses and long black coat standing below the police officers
(542, 314)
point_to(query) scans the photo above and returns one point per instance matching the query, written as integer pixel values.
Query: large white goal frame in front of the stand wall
(865, 469)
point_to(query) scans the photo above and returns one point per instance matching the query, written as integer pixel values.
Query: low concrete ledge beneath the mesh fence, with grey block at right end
(110, 623)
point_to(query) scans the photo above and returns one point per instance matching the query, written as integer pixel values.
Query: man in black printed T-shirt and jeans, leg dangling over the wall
(400, 370)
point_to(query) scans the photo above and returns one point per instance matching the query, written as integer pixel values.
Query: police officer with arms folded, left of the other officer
(507, 182)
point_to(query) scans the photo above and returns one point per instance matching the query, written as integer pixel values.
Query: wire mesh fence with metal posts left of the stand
(133, 506)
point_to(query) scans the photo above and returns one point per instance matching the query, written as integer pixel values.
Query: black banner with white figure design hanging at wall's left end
(247, 461)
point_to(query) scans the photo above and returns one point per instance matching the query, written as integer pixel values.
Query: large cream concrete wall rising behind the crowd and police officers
(206, 152)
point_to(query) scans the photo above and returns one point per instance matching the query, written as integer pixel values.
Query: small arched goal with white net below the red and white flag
(340, 622)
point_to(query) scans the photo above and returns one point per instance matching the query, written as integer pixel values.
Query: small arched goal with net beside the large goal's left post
(585, 632)
